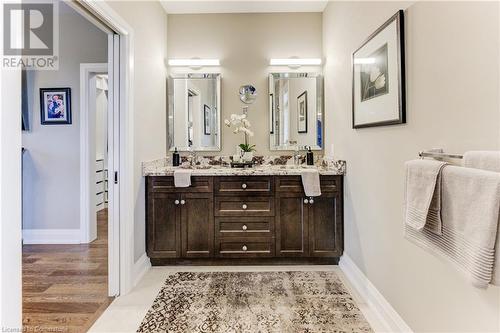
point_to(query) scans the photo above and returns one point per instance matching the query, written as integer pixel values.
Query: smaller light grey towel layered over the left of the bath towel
(423, 194)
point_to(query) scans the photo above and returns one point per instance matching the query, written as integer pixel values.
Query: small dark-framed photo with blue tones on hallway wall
(55, 106)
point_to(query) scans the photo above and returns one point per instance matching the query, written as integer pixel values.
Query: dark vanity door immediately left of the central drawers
(197, 225)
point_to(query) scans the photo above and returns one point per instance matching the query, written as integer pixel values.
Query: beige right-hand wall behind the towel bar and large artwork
(453, 103)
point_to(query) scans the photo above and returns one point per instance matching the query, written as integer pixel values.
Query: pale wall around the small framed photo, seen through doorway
(51, 195)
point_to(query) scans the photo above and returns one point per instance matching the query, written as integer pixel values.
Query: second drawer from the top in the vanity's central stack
(244, 206)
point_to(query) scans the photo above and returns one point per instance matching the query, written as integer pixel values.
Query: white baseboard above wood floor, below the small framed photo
(51, 236)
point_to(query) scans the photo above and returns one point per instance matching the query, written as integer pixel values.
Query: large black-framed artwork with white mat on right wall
(378, 77)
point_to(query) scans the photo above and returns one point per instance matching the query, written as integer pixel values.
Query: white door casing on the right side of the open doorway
(123, 227)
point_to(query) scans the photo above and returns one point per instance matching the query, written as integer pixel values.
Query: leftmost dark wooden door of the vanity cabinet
(163, 234)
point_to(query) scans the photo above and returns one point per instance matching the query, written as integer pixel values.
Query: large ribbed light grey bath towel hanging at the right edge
(470, 213)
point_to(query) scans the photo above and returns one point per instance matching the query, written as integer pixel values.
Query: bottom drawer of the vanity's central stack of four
(246, 248)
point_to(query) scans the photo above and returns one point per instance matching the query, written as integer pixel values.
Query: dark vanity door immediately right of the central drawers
(291, 225)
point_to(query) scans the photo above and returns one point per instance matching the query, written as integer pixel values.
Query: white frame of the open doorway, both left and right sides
(10, 170)
